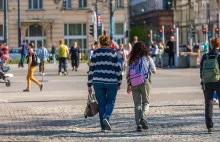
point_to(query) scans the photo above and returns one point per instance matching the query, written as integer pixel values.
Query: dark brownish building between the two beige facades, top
(154, 14)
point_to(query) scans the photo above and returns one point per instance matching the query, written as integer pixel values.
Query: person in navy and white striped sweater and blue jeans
(105, 77)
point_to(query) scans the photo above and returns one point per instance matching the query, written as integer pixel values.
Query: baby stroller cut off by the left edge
(4, 69)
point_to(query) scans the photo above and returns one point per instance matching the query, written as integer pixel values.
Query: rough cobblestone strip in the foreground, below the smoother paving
(168, 121)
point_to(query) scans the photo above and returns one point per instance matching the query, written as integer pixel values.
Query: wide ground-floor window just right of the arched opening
(75, 32)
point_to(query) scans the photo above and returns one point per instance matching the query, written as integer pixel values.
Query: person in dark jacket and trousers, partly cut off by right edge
(210, 87)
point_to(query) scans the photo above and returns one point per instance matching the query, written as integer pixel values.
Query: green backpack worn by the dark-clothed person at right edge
(211, 71)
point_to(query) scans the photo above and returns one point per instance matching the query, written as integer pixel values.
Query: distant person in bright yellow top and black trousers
(63, 54)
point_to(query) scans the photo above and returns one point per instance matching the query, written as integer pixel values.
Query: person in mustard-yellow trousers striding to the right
(32, 63)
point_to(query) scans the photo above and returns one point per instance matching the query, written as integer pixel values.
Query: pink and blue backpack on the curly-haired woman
(138, 72)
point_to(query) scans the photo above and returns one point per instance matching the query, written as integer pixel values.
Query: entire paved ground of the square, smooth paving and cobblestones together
(56, 113)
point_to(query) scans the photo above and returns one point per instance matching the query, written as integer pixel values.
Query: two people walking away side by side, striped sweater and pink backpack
(105, 76)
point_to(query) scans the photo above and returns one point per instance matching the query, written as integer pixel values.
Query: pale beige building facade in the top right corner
(197, 19)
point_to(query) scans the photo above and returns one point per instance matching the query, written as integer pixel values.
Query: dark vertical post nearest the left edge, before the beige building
(5, 22)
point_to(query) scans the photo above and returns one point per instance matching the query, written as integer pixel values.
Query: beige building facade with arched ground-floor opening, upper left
(45, 21)
